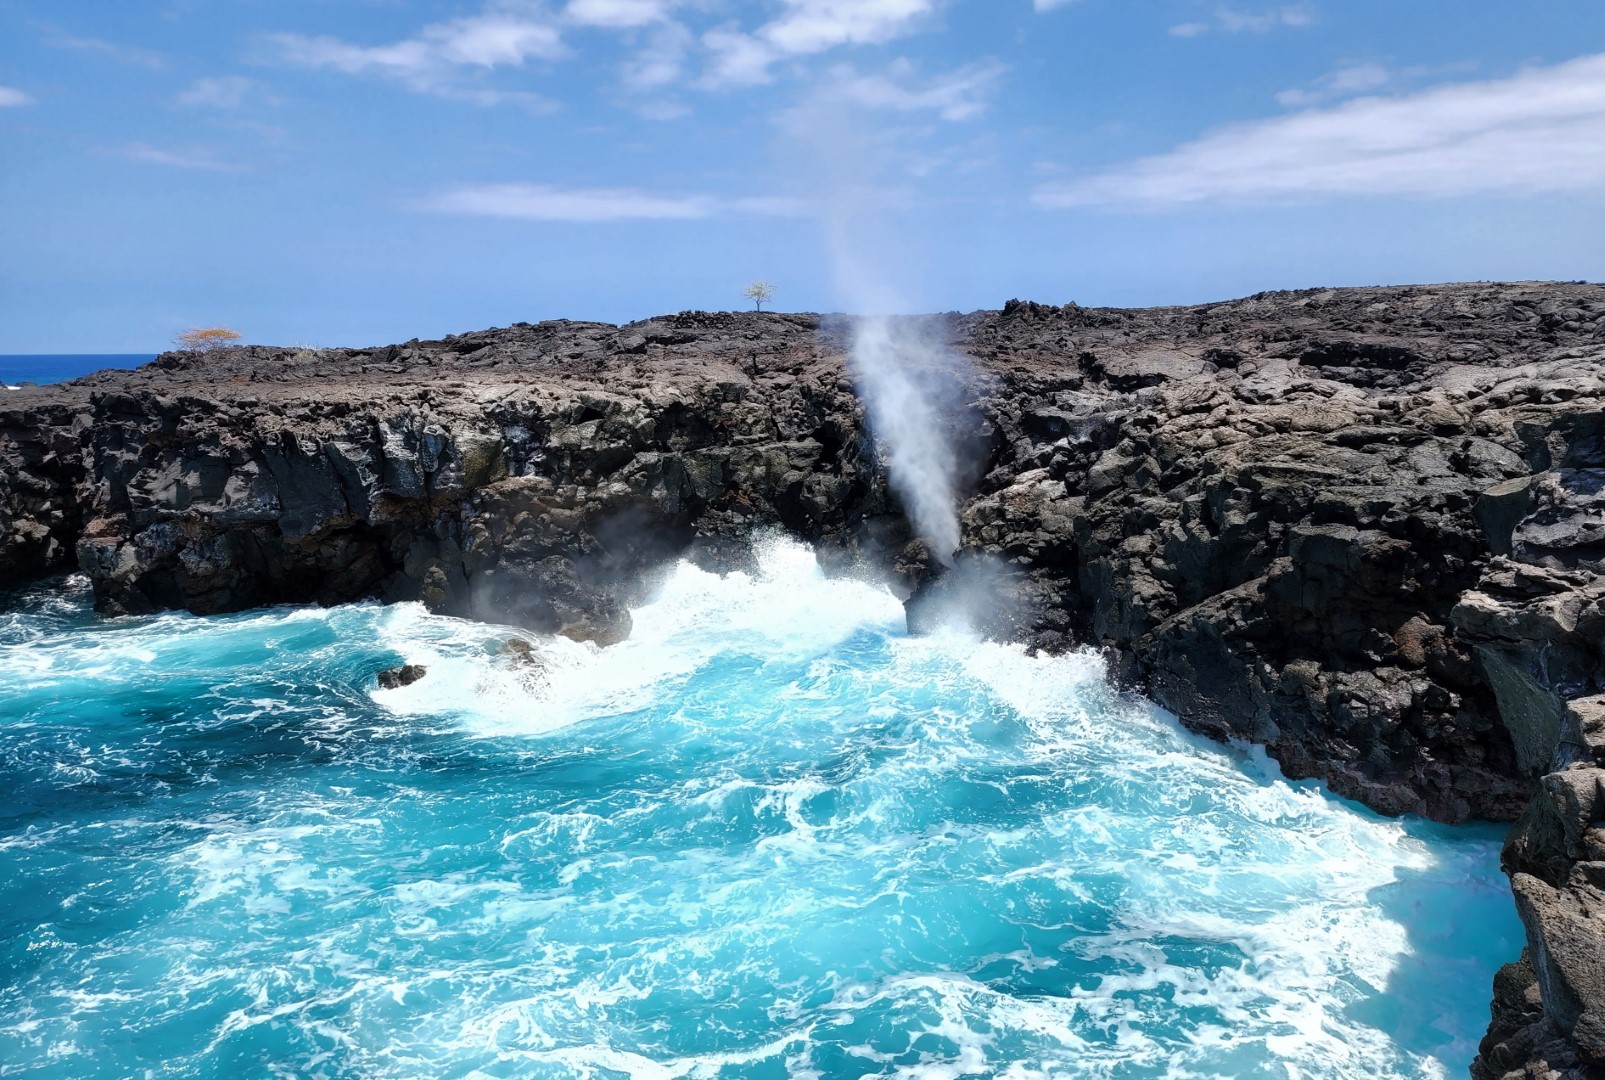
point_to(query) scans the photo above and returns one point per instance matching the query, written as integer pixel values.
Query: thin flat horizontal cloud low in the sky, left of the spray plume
(545, 203)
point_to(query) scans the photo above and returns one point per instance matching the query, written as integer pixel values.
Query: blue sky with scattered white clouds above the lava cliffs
(359, 173)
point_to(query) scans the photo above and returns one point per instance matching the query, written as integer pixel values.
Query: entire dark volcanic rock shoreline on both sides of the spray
(1360, 527)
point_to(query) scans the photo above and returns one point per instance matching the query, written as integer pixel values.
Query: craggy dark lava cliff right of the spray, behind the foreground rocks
(1312, 542)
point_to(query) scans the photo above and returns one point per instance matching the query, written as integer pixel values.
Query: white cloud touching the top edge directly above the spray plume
(808, 28)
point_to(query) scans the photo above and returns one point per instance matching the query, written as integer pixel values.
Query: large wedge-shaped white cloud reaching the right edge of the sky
(1542, 131)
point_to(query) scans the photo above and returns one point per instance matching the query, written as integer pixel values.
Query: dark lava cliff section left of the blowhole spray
(534, 476)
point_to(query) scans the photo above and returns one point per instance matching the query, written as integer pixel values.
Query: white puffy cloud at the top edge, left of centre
(500, 36)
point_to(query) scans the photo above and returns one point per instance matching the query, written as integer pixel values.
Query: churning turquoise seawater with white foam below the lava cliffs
(768, 837)
